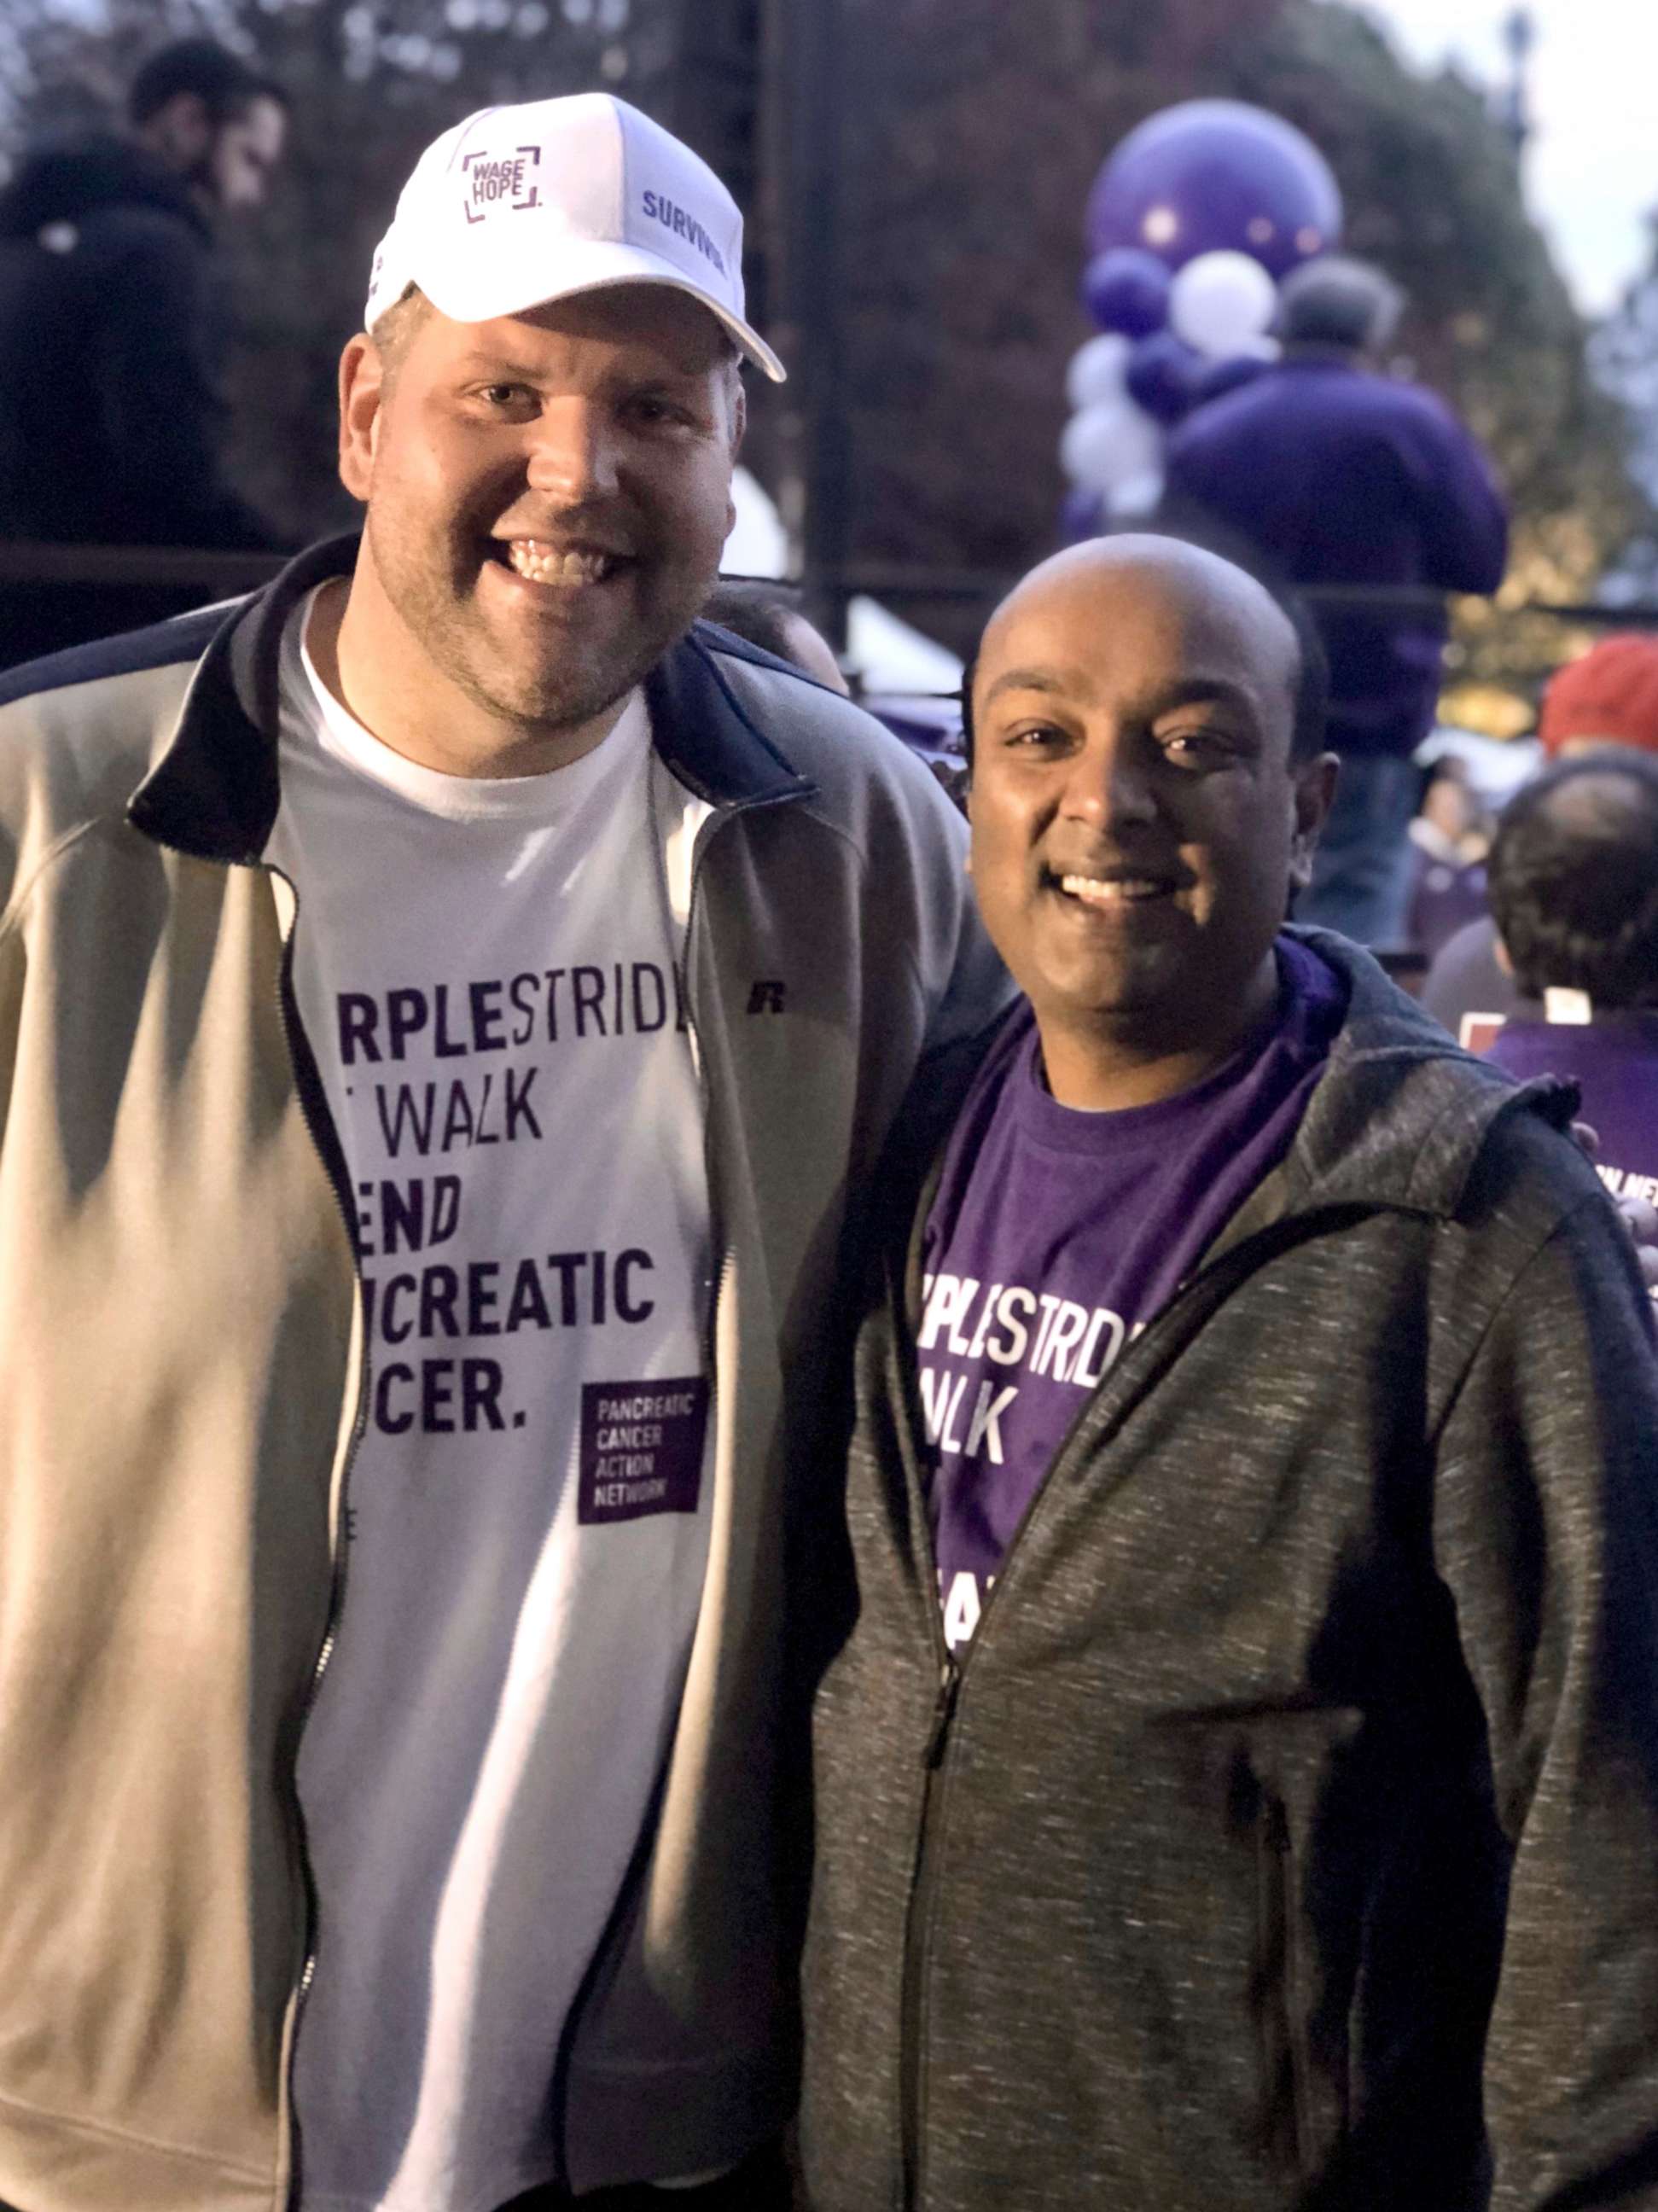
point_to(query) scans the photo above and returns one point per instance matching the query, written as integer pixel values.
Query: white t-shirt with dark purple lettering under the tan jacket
(490, 981)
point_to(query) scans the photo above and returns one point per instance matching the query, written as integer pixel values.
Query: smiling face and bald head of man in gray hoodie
(1137, 820)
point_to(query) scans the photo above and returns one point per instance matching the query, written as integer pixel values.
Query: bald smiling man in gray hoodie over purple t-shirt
(1239, 1786)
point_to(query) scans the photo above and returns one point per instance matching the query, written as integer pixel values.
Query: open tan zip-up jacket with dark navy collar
(185, 1375)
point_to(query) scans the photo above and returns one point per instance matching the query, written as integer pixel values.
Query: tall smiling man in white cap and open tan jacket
(448, 1010)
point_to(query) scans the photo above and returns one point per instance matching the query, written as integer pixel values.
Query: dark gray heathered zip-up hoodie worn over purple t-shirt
(1290, 1833)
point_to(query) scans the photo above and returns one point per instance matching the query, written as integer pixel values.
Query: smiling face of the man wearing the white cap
(547, 501)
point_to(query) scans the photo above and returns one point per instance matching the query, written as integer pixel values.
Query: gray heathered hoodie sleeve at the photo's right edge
(1546, 1532)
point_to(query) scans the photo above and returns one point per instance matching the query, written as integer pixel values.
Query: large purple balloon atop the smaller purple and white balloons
(1217, 176)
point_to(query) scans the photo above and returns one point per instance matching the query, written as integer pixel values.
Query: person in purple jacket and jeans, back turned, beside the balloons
(1336, 474)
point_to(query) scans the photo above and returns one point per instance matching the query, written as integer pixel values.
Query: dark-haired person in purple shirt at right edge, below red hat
(1575, 901)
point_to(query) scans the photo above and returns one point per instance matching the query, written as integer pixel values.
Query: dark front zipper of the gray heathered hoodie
(952, 1678)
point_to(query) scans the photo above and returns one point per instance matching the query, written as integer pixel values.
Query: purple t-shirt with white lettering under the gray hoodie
(1058, 1235)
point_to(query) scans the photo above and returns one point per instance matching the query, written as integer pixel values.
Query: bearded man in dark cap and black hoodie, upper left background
(114, 335)
